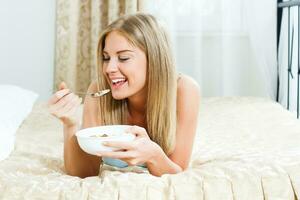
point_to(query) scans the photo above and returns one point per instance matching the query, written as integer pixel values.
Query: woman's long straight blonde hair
(144, 32)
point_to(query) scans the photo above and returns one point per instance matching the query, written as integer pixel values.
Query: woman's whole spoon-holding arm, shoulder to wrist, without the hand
(77, 162)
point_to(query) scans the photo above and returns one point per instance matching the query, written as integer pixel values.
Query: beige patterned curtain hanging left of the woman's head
(78, 25)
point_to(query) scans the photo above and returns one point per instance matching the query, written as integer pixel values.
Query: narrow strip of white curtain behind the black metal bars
(283, 59)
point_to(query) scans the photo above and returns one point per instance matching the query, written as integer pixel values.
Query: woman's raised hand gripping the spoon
(64, 105)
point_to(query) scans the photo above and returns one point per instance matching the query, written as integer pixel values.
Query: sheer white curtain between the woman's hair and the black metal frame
(228, 46)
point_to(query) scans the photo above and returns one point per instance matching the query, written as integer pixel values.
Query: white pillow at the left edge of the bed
(15, 105)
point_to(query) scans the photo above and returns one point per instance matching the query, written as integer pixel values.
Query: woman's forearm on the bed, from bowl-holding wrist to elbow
(160, 164)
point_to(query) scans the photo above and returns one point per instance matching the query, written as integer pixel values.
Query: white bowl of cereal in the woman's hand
(91, 144)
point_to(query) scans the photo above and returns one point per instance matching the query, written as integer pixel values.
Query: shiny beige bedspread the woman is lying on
(245, 149)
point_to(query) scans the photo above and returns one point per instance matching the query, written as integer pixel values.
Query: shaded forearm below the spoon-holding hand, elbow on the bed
(76, 161)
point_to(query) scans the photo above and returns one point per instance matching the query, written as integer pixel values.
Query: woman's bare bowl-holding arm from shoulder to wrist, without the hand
(188, 98)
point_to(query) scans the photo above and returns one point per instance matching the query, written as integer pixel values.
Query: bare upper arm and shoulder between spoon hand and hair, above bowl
(90, 108)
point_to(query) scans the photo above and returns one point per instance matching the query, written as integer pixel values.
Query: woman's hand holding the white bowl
(141, 150)
